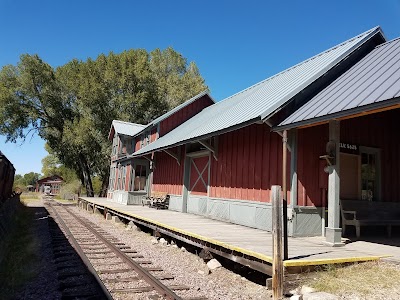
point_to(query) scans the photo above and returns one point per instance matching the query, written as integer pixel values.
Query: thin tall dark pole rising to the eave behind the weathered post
(284, 199)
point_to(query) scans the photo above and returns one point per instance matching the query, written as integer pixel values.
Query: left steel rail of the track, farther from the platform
(82, 255)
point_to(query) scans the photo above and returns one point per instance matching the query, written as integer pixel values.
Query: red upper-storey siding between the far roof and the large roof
(184, 114)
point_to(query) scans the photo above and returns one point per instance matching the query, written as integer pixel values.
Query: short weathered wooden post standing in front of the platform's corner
(277, 263)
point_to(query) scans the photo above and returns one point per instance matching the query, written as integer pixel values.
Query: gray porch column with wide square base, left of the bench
(333, 232)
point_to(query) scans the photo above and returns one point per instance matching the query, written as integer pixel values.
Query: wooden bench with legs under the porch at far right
(367, 213)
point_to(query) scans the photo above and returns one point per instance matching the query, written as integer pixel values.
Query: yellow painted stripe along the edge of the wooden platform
(288, 263)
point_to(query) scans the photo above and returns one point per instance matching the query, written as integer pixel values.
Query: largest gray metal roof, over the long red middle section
(260, 100)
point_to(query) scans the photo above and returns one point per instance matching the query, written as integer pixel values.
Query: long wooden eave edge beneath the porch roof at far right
(343, 115)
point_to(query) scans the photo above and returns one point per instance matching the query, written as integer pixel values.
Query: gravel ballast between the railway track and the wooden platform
(187, 268)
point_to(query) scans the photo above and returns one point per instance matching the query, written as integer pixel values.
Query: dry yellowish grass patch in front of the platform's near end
(360, 280)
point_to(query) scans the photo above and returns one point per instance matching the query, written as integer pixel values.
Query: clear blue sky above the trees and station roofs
(234, 43)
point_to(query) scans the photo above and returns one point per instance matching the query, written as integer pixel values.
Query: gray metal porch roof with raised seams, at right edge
(369, 84)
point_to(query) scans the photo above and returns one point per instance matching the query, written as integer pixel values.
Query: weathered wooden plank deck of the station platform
(250, 241)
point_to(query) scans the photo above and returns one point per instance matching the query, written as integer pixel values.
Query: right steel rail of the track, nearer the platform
(143, 273)
